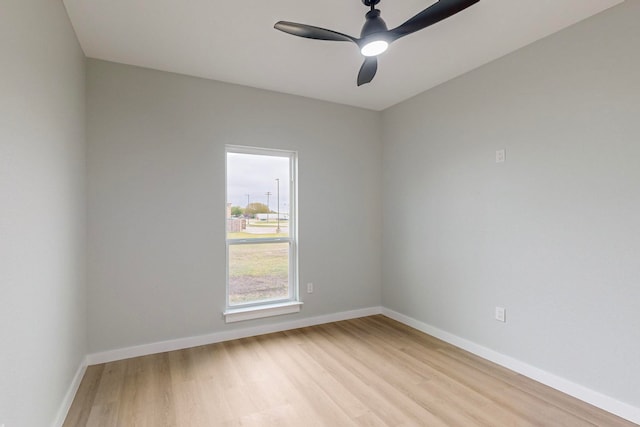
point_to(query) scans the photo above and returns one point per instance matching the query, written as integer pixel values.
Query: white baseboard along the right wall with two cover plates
(578, 391)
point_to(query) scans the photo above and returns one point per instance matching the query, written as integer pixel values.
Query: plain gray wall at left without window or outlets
(42, 210)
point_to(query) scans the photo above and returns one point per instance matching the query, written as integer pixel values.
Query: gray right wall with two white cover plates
(553, 234)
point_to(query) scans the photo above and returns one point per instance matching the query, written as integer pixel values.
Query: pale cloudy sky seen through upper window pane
(255, 175)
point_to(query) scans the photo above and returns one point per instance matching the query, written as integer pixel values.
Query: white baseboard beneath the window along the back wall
(181, 343)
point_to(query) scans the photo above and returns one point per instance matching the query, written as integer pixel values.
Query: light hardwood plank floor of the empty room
(371, 371)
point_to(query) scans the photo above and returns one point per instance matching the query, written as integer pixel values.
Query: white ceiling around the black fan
(234, 41)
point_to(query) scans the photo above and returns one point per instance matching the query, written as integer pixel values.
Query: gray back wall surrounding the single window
(156, 200)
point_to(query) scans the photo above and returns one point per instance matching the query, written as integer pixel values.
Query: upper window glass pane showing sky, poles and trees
(258, 196)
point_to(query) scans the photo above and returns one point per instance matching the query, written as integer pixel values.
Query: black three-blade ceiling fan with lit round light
(375, 37)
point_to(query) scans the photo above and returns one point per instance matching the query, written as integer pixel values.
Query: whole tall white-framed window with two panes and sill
(260, 233)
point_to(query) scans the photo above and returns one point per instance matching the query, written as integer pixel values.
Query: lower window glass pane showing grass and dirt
(258, 272)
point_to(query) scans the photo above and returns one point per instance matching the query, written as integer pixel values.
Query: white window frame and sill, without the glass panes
(291, 304)
